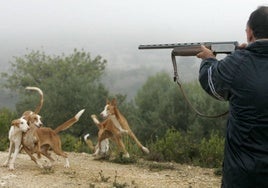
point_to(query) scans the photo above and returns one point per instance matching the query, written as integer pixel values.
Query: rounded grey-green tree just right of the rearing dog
(160, 106)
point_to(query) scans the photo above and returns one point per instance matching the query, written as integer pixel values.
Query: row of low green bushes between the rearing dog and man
(183, 148)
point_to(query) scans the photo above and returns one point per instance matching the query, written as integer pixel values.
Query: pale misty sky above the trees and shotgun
(115, 28)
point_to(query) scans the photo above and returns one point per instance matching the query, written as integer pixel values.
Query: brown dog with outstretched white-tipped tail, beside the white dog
(40, 140)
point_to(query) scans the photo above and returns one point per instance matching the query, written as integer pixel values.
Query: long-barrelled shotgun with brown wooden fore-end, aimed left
(192, 49)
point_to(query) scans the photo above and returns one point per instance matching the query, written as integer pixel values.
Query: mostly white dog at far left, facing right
(16, 130)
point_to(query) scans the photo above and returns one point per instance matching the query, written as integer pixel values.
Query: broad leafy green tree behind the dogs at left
(70, 83)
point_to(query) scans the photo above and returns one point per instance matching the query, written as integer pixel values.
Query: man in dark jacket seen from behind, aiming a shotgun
(242, 79)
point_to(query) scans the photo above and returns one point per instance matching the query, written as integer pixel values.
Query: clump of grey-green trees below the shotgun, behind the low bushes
(161, 106)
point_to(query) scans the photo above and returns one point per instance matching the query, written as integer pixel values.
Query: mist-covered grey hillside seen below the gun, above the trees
(129, 81)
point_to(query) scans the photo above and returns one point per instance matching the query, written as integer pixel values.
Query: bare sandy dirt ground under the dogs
(90, 173)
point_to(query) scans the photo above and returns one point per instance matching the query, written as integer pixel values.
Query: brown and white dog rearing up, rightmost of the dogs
(114, 125)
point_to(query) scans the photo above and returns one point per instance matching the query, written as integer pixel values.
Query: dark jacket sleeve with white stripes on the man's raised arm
(216, 76)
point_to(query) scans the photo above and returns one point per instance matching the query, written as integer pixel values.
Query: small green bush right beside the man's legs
(211, 151)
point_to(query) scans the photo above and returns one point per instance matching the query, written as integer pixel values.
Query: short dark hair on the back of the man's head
(258, 22)
